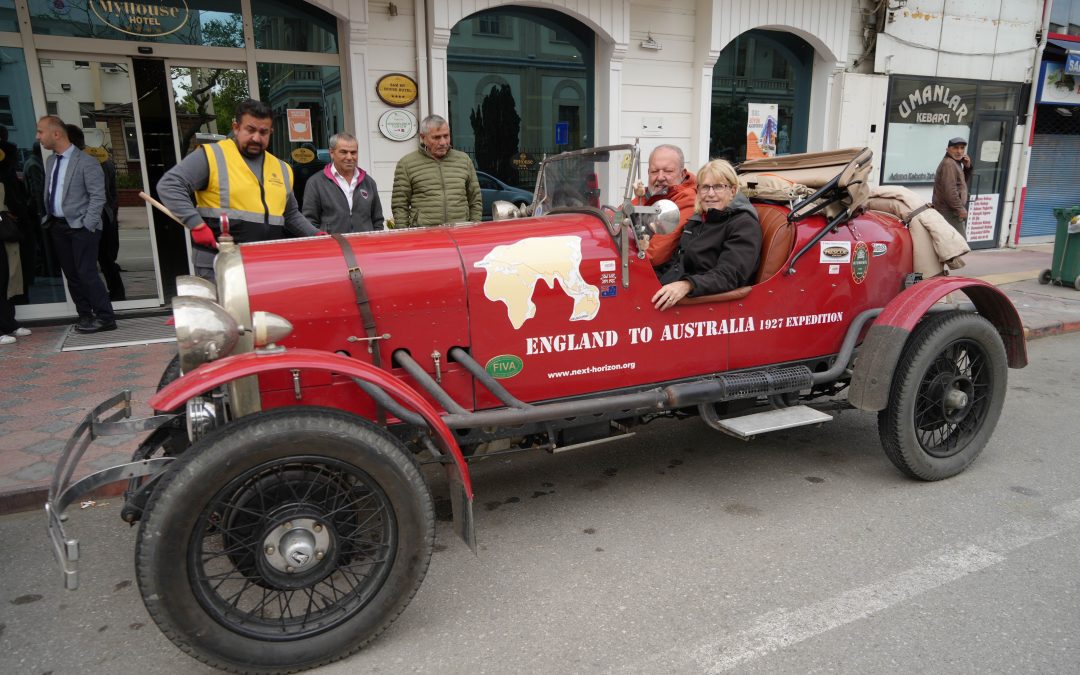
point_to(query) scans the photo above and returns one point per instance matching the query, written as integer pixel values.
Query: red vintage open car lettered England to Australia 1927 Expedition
(285, 519)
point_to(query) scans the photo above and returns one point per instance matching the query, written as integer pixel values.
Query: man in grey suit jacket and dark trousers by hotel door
(75, 197)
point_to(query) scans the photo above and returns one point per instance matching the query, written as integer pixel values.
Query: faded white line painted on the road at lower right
(782, 628)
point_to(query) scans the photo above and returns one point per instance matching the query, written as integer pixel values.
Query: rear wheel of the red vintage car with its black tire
(925, 430)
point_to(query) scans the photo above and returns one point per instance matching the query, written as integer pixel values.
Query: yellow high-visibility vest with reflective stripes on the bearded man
(234, 190)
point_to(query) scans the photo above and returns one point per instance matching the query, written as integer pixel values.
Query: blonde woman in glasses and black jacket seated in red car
(721, 244)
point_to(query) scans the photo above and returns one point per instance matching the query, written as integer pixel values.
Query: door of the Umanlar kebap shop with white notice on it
(990, 163)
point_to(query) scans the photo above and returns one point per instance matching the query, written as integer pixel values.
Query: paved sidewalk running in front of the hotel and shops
(46, 394)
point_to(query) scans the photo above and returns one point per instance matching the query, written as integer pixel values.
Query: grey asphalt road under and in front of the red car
(682, 551)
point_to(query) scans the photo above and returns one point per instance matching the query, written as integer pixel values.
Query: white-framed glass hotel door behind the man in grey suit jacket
(98, 97)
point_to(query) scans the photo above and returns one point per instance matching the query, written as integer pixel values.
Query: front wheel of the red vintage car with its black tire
(194, 516)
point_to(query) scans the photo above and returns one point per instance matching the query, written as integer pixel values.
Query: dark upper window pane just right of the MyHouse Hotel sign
(294, 26)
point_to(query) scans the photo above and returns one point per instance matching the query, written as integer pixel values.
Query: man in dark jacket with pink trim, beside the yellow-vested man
(343, 198)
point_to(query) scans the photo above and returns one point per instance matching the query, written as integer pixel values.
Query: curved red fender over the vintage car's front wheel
(212, 375)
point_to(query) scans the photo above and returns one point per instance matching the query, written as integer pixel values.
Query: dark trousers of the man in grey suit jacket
(77, 250)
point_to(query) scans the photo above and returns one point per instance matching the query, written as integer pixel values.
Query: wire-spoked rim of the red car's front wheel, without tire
(292, 547)
